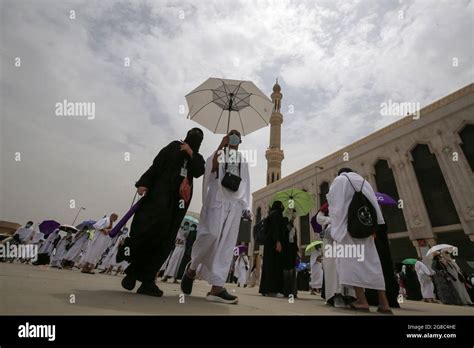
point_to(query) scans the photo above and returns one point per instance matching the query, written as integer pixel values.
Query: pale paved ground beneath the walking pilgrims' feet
(26, 289)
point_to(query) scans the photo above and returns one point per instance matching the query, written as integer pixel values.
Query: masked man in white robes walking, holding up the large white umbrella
(220, 220)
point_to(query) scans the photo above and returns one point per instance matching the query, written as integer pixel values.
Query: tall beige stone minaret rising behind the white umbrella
(274, 154)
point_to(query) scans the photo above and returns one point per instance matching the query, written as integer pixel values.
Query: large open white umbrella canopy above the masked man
(221, 105)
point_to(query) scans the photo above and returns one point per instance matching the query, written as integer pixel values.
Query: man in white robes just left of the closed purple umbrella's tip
(98, 244)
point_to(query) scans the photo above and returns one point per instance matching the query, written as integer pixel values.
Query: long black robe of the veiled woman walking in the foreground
(157, 221)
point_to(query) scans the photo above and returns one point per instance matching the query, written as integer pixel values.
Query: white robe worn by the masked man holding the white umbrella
(219, 224)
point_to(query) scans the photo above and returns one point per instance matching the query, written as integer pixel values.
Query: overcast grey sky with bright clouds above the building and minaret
(336, 61)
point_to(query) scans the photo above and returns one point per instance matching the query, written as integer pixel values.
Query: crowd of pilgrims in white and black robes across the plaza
(161, 243)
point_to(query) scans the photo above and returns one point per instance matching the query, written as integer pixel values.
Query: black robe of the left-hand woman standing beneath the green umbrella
(272, 264)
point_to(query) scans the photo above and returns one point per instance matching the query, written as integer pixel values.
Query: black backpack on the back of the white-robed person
(361, 217)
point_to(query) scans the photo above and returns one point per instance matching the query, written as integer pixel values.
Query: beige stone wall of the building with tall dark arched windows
(437, 127)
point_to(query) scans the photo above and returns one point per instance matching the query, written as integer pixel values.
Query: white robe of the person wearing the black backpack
(368, 272)
